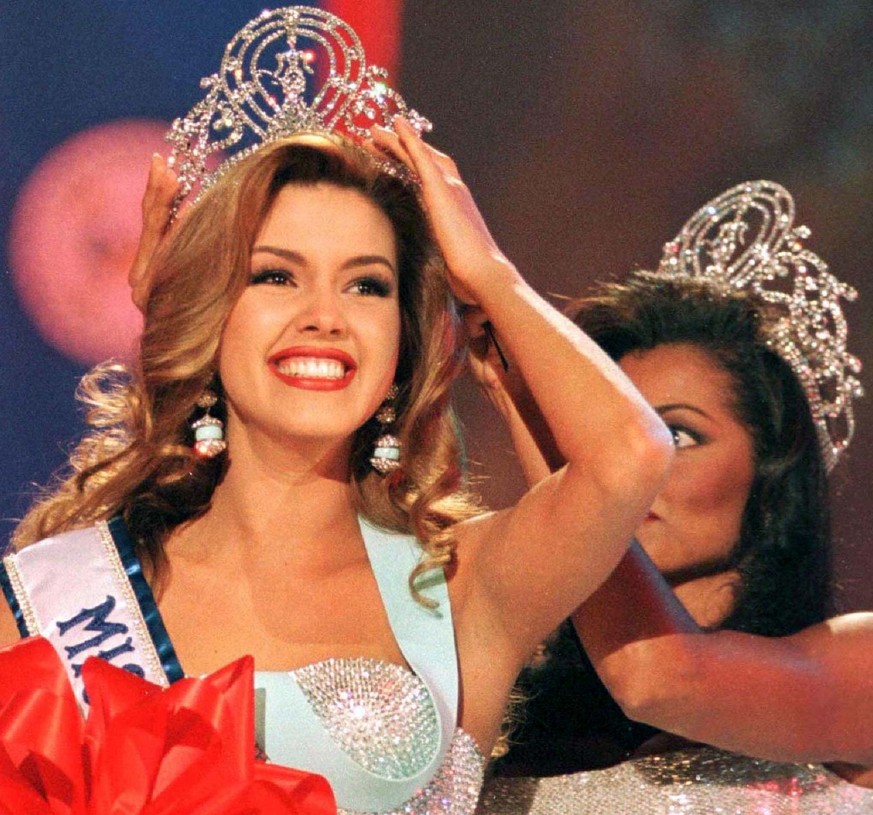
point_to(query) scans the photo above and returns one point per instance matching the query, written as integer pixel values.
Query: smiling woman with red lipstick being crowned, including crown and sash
(306, 303)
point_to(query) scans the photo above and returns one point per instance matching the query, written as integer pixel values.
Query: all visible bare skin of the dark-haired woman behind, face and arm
(804, 697)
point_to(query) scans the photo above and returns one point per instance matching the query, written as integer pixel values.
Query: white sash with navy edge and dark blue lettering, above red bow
(85, 592)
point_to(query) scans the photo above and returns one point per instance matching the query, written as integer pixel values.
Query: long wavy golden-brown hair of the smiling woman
(137, 460)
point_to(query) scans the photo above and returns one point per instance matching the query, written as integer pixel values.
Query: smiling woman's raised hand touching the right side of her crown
(469, 250)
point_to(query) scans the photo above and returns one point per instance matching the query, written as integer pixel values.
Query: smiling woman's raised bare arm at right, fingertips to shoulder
(533, 564)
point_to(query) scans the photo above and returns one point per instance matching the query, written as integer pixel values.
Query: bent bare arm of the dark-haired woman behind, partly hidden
(807, 697)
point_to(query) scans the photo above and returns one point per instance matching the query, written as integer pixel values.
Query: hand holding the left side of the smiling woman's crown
(157, 211)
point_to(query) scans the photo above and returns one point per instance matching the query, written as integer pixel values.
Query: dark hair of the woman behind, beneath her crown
(783, 553)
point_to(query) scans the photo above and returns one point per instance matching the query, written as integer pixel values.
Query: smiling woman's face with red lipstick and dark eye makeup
(324, 262)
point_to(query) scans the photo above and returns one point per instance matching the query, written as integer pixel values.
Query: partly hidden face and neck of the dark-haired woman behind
(694, 522)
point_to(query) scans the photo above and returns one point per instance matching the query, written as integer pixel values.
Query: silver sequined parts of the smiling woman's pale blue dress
(381, 715)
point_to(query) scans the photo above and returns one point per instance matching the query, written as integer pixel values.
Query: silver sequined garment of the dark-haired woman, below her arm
(695, 781)
